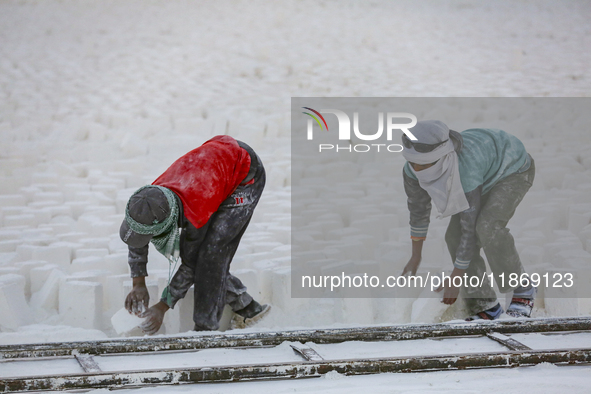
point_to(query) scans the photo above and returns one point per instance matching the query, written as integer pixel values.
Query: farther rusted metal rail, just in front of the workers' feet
(237, 339)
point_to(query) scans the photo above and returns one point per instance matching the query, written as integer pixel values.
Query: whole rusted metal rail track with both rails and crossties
(311, 365)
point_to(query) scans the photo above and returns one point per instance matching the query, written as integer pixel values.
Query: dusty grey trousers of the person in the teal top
(497, 208)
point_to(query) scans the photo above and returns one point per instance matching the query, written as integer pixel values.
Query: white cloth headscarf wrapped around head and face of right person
(442, 180)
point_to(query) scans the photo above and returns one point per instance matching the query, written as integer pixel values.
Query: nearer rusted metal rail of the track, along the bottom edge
(294, 370)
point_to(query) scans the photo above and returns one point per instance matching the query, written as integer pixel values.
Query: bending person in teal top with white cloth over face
(478, 177)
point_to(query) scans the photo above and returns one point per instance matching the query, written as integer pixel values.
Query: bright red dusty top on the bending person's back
(206, 176)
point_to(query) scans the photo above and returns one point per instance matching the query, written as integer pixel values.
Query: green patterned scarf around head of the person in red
(166, 237)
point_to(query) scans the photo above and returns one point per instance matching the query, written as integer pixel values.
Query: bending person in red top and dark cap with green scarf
(196, 211)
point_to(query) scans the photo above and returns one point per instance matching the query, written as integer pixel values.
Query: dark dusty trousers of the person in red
(207, 265)
